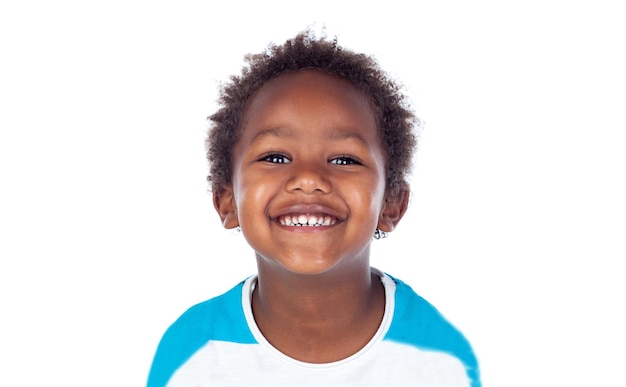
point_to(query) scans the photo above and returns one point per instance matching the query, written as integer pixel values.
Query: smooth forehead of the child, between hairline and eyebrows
(310, 95)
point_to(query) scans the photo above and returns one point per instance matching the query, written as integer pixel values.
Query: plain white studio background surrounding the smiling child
(516, 229)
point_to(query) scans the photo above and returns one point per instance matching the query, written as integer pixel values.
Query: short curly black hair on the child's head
(396, 121)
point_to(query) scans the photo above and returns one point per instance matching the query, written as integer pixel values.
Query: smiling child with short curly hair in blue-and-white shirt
(309, 154)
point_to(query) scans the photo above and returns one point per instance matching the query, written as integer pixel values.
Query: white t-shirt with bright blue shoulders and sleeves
(217, 343)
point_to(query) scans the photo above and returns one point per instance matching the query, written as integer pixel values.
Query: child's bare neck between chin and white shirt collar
(318, 318)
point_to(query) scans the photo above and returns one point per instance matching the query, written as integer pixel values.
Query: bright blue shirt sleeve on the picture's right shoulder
(418, 323)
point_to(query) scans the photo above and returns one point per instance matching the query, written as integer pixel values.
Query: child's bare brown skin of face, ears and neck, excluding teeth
(310, 146)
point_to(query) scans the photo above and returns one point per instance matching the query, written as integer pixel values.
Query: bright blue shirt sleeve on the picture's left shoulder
(220, 318)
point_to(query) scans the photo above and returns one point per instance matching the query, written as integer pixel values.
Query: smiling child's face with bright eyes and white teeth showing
(309, 153)
